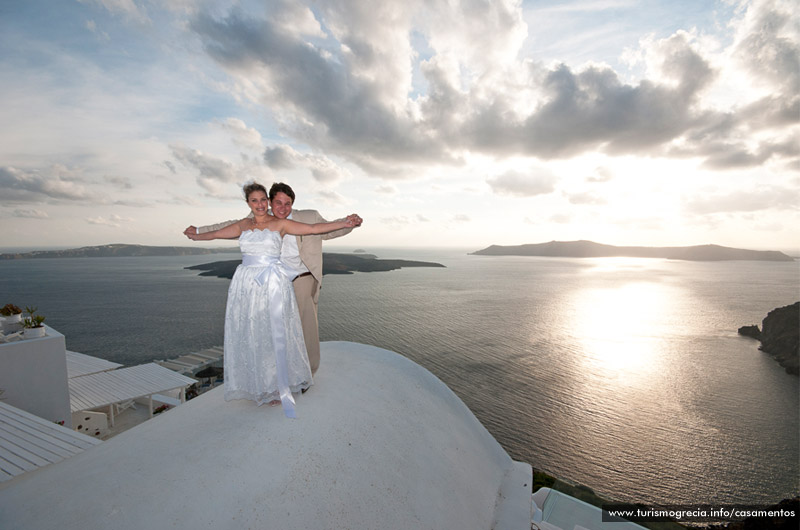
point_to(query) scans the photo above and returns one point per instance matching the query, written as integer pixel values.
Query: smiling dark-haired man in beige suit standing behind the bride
(303, 253)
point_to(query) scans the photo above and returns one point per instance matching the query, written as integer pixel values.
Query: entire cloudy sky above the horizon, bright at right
(442, 123)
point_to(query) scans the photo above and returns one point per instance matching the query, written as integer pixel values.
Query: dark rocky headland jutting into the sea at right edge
(779, 336)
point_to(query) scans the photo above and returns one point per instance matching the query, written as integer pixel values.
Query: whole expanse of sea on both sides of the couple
(624, 375)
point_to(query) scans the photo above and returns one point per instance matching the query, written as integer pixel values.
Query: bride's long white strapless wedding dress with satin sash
(265, 355)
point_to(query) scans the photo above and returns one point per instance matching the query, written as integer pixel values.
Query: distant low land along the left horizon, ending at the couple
(116, 250)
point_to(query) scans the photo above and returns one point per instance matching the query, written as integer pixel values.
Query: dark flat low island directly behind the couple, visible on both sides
(332, 263)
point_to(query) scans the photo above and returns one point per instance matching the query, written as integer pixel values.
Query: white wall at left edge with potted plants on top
(33, 376)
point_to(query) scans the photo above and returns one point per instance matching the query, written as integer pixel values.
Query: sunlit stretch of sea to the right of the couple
(624, 375)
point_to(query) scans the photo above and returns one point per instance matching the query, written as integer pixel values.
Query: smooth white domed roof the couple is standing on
(379, 443)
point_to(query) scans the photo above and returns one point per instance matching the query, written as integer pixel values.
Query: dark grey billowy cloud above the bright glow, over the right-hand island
(594, 110)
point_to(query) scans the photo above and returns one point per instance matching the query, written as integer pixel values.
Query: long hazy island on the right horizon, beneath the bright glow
(590, 249)
